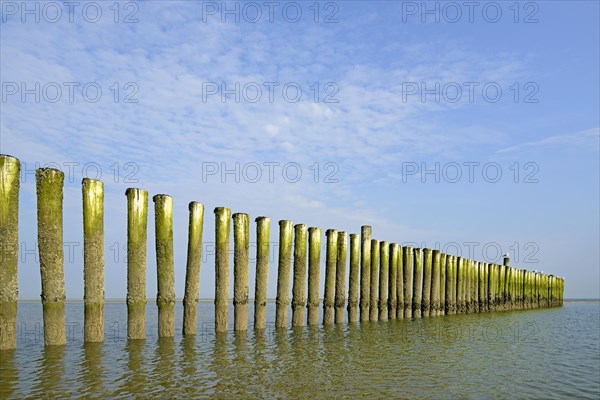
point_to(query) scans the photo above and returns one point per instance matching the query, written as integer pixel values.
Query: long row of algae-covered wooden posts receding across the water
(386, 280)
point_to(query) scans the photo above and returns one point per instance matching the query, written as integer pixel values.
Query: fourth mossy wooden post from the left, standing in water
(137, 234)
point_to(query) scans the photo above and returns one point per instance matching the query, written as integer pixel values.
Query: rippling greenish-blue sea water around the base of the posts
(534, 354)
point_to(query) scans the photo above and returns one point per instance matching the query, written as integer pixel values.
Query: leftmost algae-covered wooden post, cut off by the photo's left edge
(10, 173)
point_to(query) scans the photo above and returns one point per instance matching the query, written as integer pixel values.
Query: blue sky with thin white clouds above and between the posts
(469, 127)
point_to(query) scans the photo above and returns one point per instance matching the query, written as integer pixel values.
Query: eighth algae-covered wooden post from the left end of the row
(241, 253)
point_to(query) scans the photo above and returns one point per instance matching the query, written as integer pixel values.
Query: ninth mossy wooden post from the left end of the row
(263, 230)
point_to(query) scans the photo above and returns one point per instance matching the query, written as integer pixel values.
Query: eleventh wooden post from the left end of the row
(299, 284)
